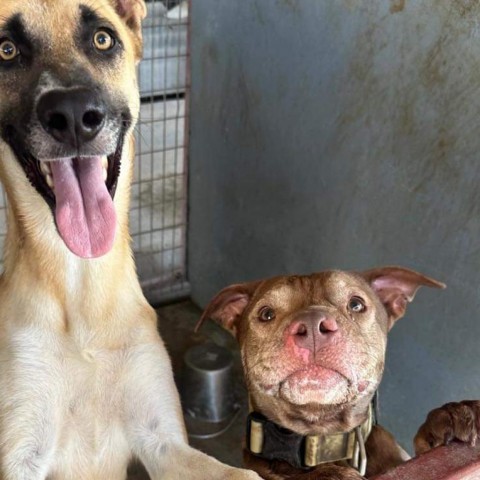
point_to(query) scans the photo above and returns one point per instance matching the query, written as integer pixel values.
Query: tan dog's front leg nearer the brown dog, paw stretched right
(155, 426)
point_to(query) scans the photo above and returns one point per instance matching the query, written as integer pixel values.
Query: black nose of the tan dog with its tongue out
(72, 117)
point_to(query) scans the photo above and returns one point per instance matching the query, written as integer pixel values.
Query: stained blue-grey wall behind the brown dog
(346, 134)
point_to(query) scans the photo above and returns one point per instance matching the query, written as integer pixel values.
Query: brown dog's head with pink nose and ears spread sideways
(313, 347)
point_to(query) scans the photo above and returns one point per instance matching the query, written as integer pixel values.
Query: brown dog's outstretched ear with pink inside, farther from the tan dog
(396, 287)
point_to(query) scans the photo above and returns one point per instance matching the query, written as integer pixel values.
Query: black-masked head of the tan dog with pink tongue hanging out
(68, 104)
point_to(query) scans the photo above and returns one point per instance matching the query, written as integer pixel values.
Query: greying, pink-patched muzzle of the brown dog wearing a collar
(321, 360)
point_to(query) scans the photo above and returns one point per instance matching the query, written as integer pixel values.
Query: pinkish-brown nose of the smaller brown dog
(313, 330)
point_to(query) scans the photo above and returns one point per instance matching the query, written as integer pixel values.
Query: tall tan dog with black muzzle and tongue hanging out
(85, 381)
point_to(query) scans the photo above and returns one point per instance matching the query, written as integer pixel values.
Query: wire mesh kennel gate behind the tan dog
(158, 217)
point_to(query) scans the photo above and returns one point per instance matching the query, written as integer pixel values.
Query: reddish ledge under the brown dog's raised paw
(453, 462)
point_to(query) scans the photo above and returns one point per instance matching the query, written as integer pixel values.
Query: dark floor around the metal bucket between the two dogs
(176, 324)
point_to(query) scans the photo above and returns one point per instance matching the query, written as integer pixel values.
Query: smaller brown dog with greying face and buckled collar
(313, 350)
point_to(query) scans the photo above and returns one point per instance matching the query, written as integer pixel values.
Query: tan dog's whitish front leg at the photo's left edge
(29, 406)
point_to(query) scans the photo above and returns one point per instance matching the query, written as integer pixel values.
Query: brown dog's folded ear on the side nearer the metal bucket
(227, 307)
